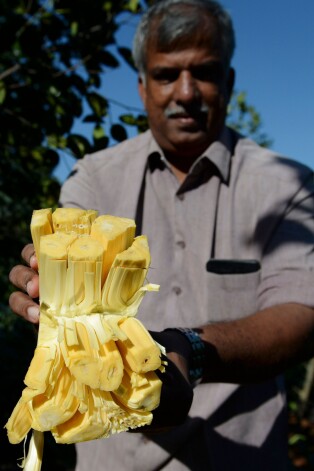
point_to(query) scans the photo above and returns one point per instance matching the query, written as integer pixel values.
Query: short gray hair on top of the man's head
(169, 22)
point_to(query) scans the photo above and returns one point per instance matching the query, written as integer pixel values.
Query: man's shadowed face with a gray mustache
(185, 94)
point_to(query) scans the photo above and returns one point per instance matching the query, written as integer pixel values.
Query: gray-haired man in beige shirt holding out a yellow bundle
(231, 232)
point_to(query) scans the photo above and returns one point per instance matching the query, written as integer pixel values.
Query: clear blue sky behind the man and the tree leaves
(274, 62)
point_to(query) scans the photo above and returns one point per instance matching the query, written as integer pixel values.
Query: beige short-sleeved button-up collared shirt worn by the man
(239, 201)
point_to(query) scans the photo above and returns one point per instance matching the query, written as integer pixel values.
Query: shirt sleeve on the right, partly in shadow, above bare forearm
(288, 259)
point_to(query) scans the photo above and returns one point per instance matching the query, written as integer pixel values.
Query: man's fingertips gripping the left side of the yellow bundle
(25, 278)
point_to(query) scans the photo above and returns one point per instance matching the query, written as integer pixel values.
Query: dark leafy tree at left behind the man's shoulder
(52, 56)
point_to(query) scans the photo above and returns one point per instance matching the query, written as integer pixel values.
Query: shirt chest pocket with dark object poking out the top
(232, 288)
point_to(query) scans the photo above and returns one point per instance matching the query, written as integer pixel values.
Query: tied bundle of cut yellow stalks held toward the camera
(92, 373)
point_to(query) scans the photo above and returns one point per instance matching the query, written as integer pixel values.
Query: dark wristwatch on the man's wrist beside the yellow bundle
(197, 359)
